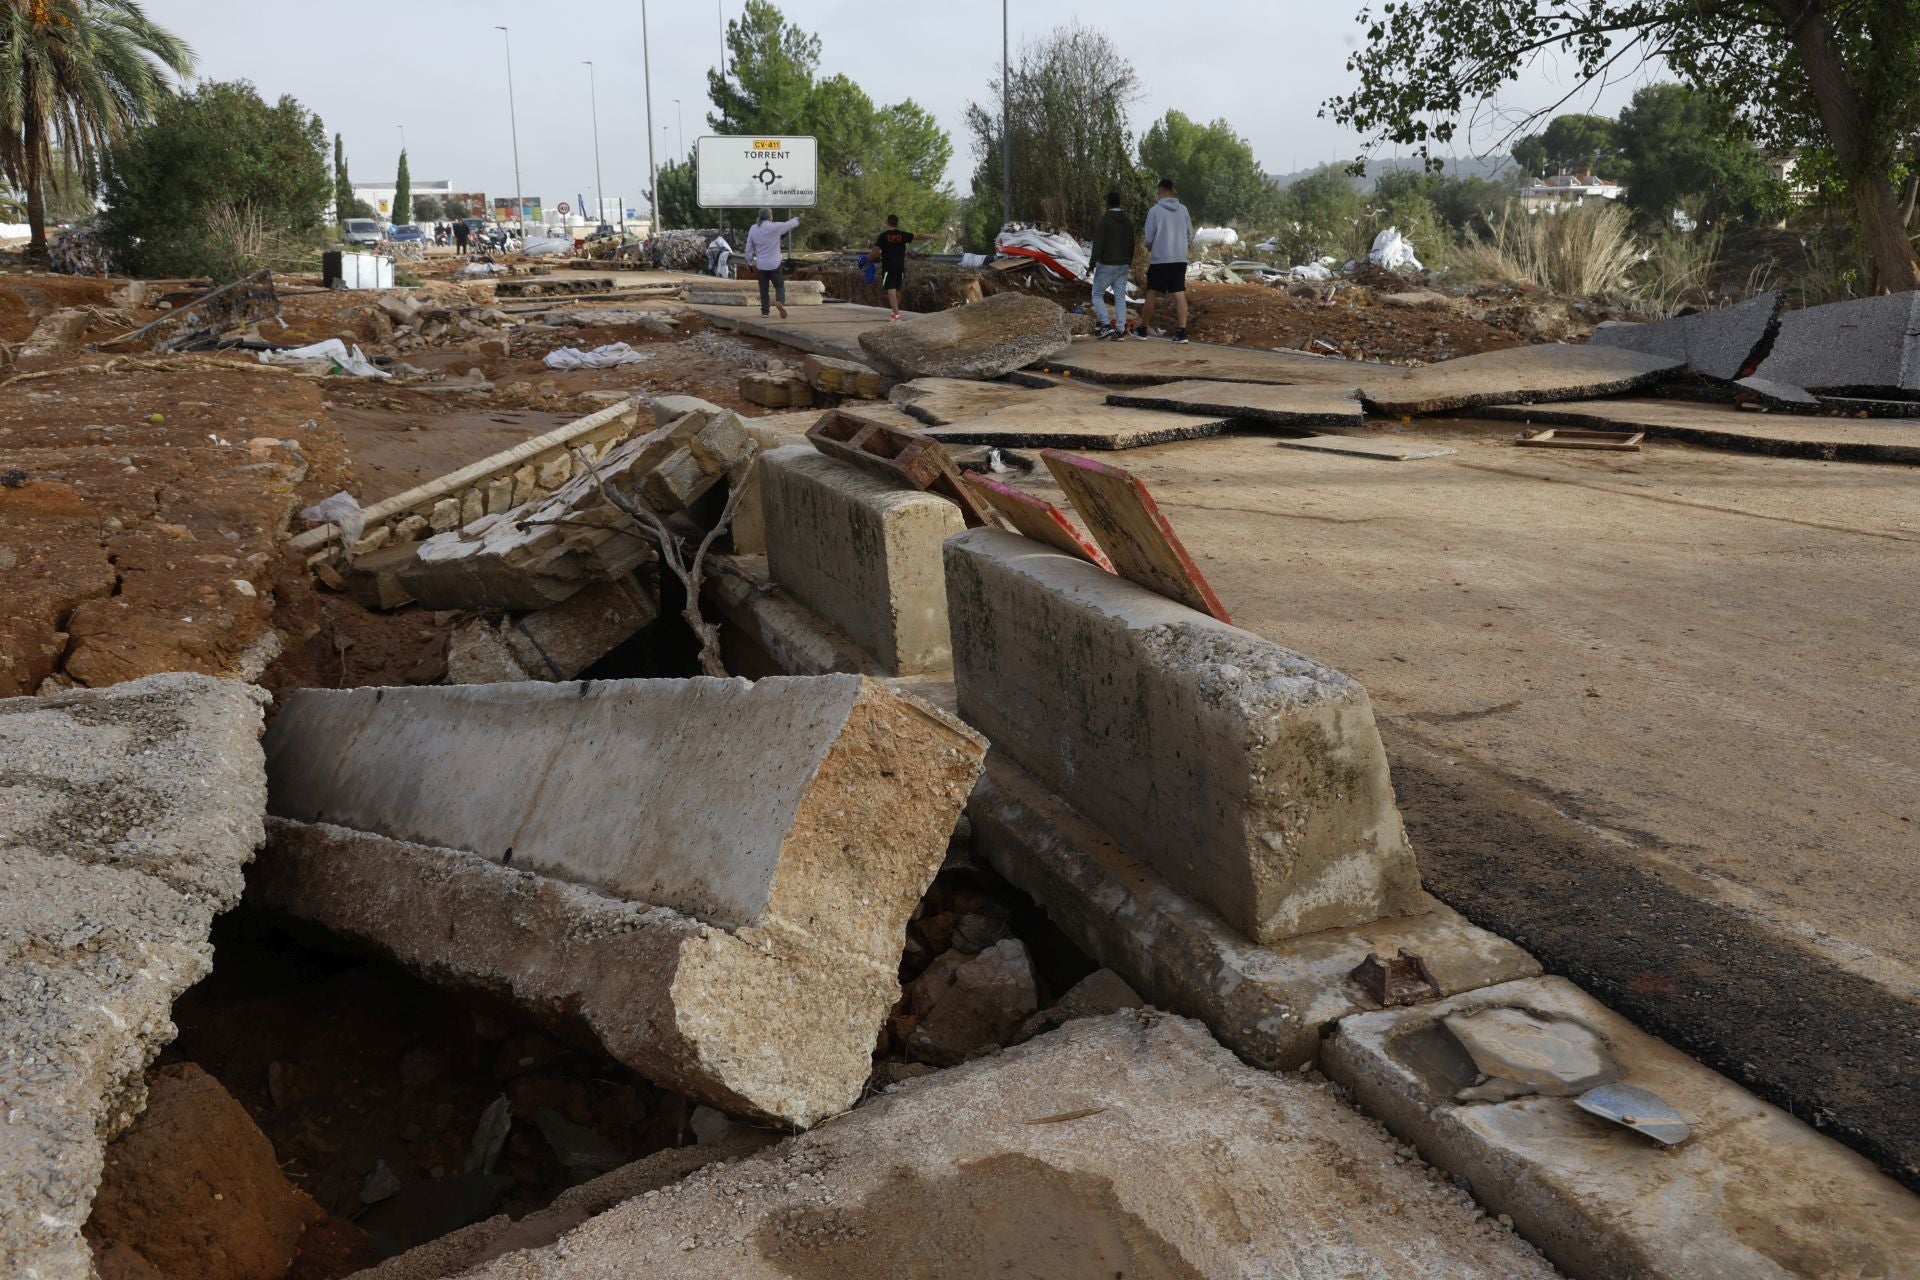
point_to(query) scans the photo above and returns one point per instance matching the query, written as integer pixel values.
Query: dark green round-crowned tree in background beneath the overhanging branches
(1681, 153)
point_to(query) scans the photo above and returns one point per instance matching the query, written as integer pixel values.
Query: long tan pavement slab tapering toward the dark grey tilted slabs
(1516, 377)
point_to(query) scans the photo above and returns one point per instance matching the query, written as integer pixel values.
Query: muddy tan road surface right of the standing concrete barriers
(1650, 715)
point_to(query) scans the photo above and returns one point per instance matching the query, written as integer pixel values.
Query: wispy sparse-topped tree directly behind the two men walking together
(1067, 116)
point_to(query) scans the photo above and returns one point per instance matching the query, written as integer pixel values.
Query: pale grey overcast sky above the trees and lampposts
(441, 70)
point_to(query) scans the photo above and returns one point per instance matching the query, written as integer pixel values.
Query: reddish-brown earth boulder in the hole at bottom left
(197, 1191)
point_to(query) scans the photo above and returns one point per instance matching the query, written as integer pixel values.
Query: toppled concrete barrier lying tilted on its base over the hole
(855, 790)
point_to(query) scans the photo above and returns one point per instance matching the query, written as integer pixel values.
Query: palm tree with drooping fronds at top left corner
(78, 76)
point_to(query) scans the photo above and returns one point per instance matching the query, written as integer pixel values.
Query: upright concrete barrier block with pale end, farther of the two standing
(861, 554)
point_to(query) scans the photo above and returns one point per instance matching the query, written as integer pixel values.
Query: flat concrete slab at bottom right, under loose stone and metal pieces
(1752, 1193)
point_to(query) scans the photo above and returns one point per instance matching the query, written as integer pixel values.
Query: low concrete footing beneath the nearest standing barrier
(1270, 1005)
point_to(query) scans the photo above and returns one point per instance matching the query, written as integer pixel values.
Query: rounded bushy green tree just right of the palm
(216, 149)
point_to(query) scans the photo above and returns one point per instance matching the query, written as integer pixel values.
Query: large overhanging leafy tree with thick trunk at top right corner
(1838, 78)
